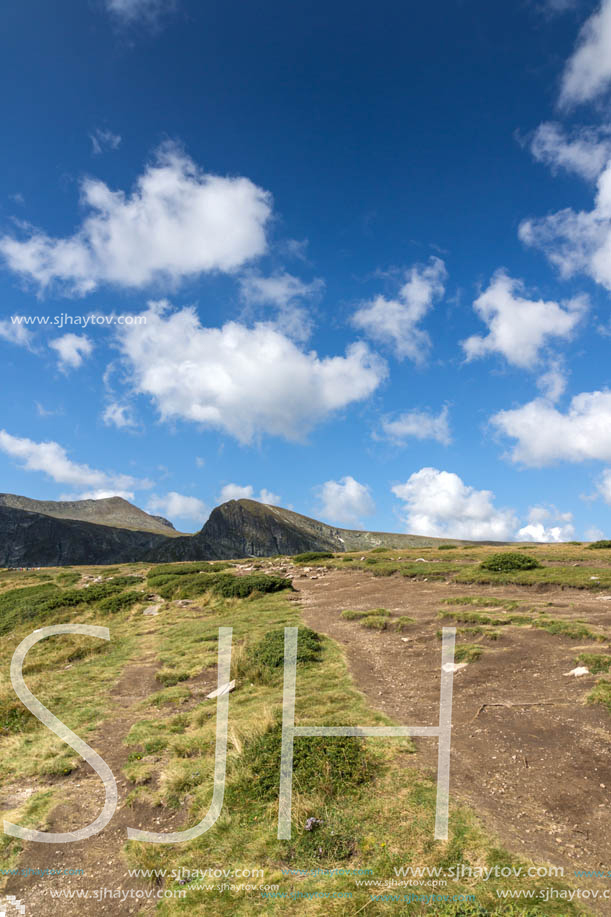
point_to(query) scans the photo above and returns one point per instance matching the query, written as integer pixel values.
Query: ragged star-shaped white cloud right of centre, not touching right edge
(518, 327)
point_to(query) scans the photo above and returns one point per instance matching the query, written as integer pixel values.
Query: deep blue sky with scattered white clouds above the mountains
(354, 259)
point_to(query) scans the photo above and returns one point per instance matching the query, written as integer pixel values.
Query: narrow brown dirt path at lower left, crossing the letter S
(82, 795)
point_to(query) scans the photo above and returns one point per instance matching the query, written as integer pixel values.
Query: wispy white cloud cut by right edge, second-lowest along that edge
(577, 241)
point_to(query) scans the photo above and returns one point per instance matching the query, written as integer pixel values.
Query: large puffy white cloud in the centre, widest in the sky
(245, 381)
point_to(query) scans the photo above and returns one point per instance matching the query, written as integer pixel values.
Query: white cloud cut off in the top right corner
(588, 72)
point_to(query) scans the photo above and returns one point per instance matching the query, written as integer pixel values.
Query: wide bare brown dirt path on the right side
(538, 776)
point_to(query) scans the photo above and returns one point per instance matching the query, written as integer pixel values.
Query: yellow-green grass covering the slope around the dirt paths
(377, 814)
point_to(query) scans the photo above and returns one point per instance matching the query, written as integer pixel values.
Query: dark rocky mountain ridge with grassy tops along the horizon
(36, 533)
